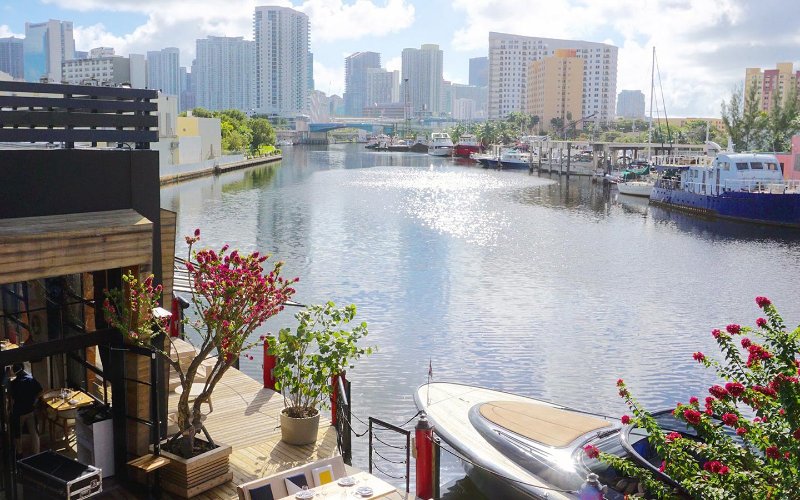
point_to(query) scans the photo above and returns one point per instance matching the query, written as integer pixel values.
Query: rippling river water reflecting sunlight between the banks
(547, 287)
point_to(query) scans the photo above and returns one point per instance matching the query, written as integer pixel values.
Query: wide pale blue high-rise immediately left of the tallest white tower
(223, 73)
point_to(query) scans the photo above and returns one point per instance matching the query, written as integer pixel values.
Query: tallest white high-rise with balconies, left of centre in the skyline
(282, 66)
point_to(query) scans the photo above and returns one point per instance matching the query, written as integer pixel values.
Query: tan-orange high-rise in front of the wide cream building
(555, 89)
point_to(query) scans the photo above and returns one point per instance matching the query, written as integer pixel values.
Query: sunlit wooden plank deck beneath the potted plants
(246, 416)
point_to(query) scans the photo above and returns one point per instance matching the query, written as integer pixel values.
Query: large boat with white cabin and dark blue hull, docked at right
(742, 186)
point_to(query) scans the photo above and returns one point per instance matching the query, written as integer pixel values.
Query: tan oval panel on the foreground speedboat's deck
(545, 424)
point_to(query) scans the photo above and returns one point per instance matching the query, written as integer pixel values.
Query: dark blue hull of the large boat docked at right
(763, 208)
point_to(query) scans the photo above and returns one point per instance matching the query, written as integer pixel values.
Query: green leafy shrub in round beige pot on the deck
(306, 359)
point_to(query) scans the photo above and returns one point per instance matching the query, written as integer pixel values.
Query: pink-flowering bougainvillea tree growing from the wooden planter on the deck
(232, 294)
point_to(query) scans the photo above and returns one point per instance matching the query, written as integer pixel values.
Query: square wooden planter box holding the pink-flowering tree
(189, 477)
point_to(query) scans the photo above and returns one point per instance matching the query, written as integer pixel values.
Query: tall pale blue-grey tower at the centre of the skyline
(422, 79)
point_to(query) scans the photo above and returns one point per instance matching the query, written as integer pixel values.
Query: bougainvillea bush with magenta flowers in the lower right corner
(748, 426)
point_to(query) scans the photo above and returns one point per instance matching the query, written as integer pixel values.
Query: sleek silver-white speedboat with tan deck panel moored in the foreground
(518, 447)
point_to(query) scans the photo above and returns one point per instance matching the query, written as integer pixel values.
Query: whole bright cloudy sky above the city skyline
(702, 46)
